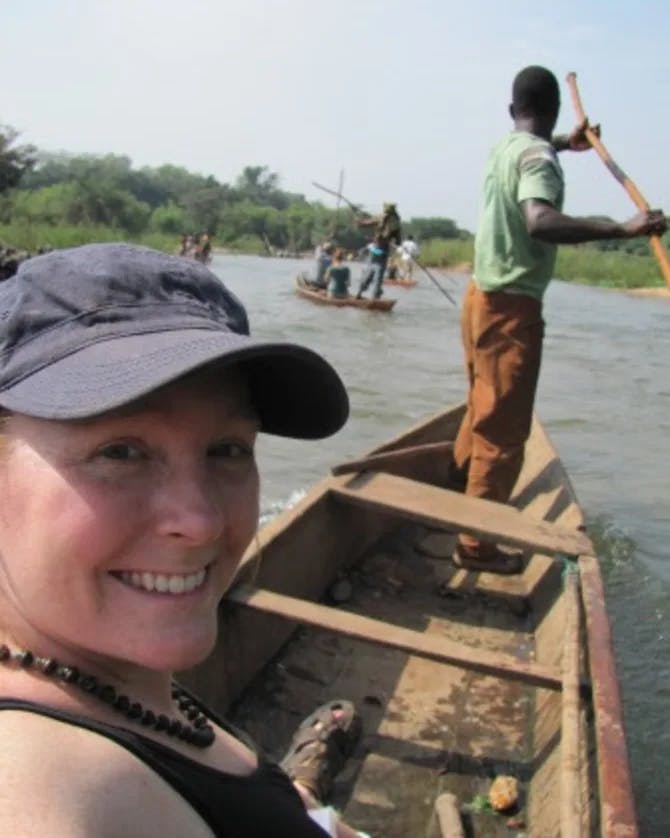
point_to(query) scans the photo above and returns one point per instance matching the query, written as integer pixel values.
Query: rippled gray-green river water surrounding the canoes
(604, 398)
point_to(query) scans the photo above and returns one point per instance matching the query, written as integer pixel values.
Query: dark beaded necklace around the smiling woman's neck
(198, 733)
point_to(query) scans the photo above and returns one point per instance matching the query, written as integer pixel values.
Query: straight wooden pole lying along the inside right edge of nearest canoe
(571, 814)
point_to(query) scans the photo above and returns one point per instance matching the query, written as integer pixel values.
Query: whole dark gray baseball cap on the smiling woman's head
(86, 330)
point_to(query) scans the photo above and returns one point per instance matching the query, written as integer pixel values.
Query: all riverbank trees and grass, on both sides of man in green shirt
(61, 200)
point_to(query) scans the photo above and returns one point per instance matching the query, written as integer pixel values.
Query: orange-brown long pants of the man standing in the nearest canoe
(502, 339)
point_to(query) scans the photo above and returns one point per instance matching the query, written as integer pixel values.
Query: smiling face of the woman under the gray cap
(119, 535)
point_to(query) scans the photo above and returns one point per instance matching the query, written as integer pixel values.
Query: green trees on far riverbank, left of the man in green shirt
(63, 189)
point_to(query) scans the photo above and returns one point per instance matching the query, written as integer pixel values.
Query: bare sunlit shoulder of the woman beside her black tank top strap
(58, 779)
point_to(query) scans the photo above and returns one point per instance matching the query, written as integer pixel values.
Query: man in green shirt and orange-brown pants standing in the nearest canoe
(520, 223)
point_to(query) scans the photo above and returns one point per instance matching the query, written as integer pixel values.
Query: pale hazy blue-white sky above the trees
(406, 97)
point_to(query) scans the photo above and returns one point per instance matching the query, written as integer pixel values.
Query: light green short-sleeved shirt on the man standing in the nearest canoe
(520, 167)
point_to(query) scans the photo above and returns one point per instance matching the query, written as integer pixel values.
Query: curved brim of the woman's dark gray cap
(296, 392)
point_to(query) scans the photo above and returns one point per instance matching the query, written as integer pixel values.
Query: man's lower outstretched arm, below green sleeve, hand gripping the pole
(546, 223)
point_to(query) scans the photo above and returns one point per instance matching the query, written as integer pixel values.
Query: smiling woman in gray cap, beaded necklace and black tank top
(131, 397)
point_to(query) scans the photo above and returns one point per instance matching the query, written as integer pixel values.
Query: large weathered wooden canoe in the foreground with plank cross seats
(458, 676)
